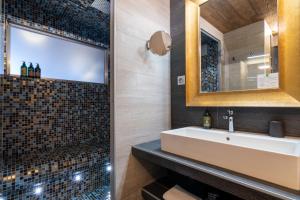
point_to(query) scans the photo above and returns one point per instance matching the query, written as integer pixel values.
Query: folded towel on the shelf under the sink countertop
(178, 193)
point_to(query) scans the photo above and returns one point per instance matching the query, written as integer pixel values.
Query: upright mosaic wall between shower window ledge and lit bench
(42, 114)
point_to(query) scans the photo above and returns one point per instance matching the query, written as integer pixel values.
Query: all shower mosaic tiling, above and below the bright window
(53, 129)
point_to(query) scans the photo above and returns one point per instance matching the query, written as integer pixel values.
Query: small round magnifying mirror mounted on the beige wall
(160, 43)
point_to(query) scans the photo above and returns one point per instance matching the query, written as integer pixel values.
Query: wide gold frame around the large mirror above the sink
(288, 95)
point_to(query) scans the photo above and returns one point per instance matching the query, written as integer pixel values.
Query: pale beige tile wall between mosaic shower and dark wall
(141, 91)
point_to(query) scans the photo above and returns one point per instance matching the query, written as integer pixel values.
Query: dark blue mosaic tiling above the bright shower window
(78, 19)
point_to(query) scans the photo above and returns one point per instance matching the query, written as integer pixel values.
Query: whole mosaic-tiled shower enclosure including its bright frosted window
(54, 130)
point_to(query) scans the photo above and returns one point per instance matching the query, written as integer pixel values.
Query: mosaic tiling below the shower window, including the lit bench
(54, 132)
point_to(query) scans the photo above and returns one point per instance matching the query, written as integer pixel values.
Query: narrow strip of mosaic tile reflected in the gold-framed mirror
(209, 65)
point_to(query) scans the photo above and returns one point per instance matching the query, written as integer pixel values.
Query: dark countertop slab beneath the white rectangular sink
(236, 184)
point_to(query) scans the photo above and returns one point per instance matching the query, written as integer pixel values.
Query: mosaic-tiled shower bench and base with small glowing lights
(55, 171)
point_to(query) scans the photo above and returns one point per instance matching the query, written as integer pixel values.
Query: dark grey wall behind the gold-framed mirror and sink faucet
(246, 119)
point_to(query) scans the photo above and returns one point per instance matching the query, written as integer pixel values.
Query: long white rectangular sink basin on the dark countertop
(275, 160)
